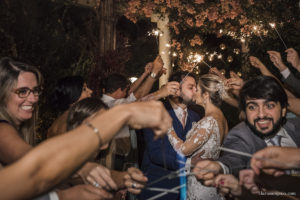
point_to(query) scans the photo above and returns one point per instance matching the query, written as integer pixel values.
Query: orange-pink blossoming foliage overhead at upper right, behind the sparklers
(192, 22)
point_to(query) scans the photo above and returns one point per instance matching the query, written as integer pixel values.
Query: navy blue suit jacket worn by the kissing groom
(160, 159)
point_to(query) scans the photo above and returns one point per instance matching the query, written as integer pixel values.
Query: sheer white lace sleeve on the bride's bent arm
(199, 134)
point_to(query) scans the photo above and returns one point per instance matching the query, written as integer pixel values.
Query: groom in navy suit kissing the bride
(160, 159)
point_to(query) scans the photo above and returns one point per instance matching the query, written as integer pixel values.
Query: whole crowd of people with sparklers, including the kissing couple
(91, 148)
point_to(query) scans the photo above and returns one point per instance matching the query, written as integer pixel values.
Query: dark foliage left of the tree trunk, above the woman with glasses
(54, 36)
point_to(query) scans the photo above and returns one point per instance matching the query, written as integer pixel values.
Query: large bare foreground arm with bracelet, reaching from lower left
(43, 167)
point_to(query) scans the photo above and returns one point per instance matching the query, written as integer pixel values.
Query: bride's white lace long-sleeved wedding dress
(203, 136)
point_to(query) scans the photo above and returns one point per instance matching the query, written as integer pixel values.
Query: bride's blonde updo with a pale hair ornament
(215, 87)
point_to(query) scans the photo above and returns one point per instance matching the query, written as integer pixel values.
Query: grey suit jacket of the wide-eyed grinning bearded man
(241, 138)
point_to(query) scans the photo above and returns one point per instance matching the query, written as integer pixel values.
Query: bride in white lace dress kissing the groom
(206, 135)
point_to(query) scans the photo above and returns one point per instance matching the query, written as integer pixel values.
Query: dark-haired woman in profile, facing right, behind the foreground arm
(67, 91)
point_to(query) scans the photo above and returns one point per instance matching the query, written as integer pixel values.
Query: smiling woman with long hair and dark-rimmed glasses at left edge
(20, 90)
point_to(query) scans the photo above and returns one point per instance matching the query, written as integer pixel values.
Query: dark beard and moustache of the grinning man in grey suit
(271, 133)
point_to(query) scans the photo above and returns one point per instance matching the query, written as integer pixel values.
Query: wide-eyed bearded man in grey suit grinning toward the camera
(264, 102)
